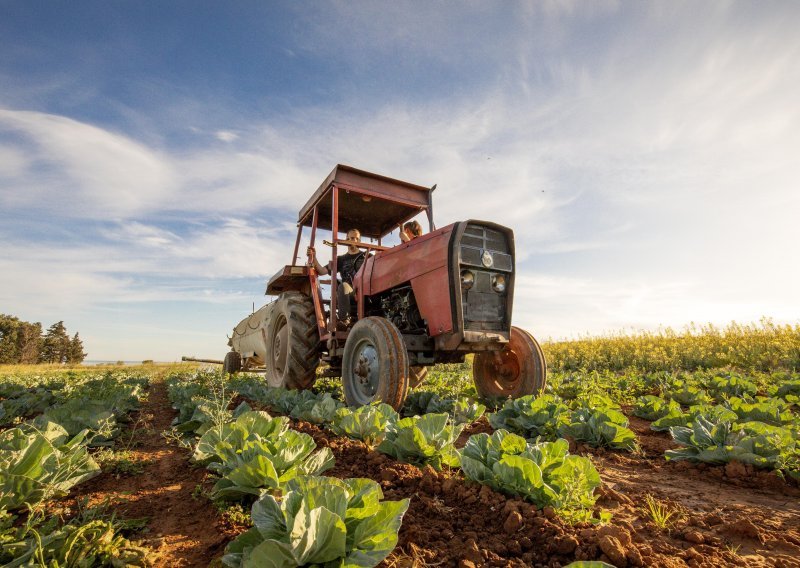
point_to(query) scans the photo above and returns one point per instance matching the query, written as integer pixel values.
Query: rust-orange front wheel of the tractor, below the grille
(517, 370)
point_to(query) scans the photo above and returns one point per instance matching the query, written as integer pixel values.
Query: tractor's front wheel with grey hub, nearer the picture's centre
(375, 364)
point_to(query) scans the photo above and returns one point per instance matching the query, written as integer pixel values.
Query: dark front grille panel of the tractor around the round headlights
(485, 254)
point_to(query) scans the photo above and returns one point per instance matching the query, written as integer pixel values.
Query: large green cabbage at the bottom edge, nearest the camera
(320, 521)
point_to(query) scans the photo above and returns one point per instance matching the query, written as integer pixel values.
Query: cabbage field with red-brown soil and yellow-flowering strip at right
(628, 464)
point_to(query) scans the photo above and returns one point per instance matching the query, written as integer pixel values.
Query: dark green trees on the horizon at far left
(25, 343)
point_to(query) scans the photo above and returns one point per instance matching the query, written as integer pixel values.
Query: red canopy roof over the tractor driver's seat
(372, 203)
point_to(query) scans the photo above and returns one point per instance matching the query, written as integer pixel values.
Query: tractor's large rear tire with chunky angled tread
(292, 355)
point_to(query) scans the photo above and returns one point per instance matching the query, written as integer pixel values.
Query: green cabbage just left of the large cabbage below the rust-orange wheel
(423, 440)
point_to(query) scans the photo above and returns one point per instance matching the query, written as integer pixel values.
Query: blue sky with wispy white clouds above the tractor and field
(154, 155)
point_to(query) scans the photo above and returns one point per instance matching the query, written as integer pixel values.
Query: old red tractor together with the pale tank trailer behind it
(430, 300)
